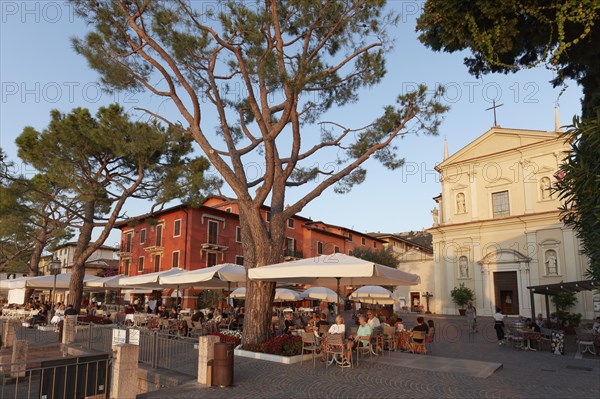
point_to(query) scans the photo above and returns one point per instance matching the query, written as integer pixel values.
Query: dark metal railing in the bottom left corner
(70, 377)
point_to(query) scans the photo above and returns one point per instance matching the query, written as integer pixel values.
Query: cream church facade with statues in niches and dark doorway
(497, 226)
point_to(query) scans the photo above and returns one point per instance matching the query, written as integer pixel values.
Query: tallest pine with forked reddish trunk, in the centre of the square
(287, 63)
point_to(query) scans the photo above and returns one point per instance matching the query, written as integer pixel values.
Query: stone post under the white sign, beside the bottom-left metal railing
(125, 368)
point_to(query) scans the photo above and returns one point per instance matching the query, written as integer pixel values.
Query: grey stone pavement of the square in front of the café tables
(523, 374)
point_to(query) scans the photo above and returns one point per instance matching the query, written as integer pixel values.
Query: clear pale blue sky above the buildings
(40, 72)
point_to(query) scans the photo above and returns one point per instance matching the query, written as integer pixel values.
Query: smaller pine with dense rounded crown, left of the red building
(98, 163)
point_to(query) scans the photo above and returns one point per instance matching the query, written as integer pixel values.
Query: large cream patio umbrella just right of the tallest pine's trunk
(333, 269)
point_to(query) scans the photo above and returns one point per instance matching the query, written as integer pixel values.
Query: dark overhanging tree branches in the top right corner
(507, 36)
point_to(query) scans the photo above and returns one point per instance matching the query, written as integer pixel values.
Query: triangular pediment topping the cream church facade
(497, 140)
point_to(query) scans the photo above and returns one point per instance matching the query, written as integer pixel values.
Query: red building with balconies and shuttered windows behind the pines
(194, 238)
